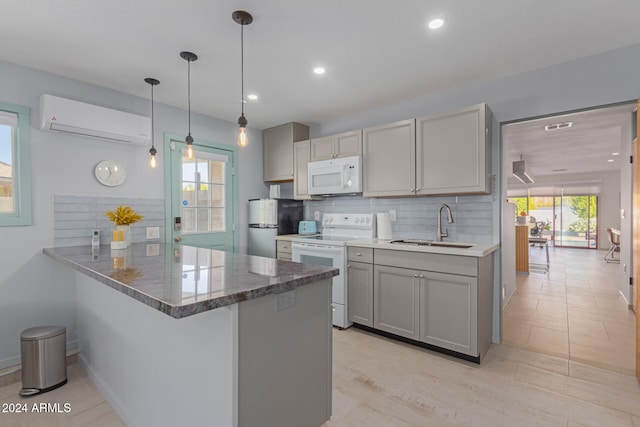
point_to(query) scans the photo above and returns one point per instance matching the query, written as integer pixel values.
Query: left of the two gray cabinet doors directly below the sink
(396, 301)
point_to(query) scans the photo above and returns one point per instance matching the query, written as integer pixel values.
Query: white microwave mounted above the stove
(335, 176)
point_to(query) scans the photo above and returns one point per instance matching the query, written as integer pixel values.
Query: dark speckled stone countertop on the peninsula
(184, 280)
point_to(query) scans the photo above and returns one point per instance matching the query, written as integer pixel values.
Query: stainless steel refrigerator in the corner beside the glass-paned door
(269, 218)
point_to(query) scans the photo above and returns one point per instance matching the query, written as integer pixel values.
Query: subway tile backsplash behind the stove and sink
(416, 217)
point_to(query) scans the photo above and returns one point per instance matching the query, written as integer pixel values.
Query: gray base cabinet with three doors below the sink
(441, 300)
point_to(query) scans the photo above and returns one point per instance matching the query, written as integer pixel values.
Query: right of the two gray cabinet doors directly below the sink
(448, 311)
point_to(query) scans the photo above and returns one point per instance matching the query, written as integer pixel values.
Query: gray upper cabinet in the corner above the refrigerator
(277, 146)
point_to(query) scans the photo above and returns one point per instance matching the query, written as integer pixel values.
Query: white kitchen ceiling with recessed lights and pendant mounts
(376, 52)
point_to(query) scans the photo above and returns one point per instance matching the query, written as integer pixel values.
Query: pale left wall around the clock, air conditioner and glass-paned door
(35, 290)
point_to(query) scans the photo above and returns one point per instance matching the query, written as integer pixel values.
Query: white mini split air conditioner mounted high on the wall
(66, 115)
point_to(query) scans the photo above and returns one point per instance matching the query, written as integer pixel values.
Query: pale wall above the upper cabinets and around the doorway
(601, 79)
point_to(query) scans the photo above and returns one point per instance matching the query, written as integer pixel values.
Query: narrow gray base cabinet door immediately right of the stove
(360, 293)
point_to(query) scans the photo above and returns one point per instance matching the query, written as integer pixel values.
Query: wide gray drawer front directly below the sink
(453, 264)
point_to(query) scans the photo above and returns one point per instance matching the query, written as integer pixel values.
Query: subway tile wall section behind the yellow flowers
(75, 218)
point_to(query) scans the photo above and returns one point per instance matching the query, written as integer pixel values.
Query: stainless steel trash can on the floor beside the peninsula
(43, 353)
